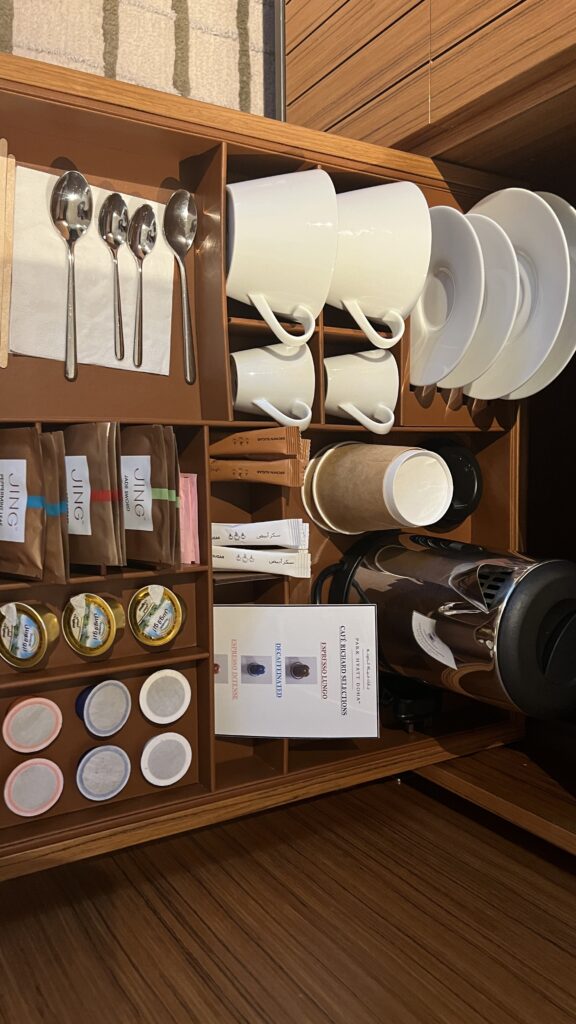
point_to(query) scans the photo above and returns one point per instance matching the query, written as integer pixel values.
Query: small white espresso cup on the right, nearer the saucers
(363, 387)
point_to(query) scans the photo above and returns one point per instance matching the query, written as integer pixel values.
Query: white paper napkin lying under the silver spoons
(40, 281)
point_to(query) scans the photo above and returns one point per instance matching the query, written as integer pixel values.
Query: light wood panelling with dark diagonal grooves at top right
(397, 72)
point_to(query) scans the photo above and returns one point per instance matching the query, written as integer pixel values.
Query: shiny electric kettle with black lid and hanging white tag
(500, 628)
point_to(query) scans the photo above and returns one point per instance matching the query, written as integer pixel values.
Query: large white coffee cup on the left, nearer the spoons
(282, 238)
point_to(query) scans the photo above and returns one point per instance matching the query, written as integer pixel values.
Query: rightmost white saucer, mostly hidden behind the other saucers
(565, 346)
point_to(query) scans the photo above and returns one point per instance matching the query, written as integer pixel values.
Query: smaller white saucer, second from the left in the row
(502, 294)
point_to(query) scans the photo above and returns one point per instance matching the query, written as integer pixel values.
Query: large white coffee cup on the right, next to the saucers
(385, 240)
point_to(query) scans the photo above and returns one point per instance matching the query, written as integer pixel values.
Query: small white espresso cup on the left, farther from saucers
(275, 380)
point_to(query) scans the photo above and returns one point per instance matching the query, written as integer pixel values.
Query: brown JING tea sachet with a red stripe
(91, 497)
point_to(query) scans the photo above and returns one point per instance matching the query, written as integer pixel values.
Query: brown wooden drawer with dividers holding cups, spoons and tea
(148, 144)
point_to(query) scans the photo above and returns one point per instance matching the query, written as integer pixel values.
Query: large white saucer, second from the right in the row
(545, 280)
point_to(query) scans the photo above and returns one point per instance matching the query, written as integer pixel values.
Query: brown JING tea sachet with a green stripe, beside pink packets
(146, 495)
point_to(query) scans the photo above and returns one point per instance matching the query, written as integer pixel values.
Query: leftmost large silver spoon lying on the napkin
(71, 208)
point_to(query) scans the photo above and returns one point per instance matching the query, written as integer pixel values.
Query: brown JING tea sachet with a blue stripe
(22, 503)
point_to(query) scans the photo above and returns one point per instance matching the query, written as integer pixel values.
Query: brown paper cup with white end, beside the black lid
(360, 488)
